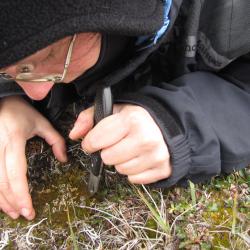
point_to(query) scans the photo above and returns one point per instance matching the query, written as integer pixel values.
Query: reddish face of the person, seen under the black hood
(51, 59)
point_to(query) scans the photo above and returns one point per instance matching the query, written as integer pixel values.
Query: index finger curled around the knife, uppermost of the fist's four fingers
(107, 132)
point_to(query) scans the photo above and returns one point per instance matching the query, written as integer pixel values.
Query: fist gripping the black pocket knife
(129, 139)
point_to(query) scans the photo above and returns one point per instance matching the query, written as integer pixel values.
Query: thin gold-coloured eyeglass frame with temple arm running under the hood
(55, 78)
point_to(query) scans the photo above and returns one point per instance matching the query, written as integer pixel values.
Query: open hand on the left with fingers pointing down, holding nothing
(19, 121)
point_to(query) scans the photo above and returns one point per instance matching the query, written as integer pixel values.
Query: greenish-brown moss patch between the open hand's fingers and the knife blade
(64, 190)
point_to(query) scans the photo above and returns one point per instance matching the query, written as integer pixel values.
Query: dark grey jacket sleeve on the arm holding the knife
(205, 122)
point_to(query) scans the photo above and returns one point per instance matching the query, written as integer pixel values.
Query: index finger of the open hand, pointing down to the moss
(16, 168)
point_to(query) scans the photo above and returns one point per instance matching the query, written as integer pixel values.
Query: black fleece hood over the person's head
(29, 25)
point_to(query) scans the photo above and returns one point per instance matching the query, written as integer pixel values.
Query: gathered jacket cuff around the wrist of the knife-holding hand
(178, 146)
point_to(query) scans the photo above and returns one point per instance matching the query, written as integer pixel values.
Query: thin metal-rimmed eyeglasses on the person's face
(26, 76)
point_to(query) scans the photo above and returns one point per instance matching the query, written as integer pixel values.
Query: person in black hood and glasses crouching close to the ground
(179, 77)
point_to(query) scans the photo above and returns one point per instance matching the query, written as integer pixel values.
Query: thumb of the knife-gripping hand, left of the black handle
(84, 122)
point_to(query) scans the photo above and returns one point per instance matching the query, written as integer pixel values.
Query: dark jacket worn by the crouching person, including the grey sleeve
(194, 82)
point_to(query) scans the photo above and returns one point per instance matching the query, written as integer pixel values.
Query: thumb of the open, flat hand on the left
(53, 138)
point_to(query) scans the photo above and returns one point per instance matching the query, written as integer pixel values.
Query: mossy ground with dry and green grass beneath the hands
(215, 215)
